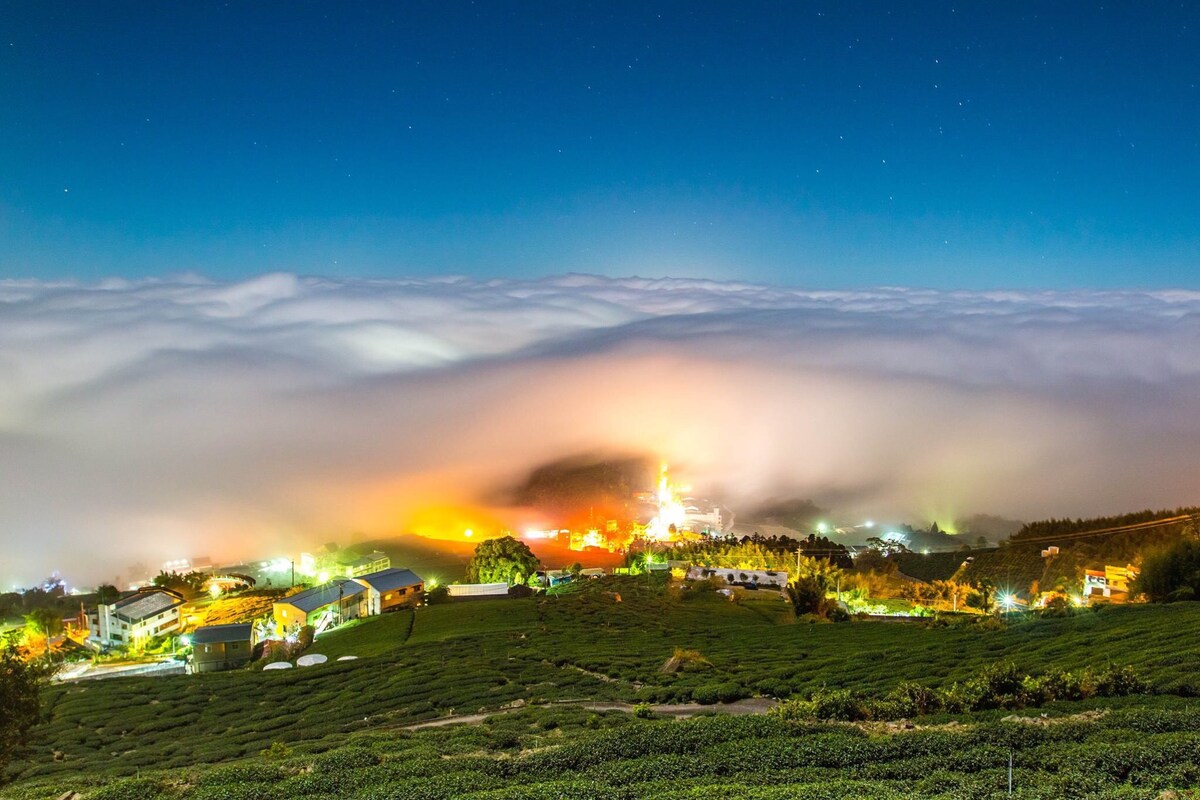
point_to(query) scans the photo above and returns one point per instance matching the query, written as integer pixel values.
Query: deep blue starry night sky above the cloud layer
(831, 145)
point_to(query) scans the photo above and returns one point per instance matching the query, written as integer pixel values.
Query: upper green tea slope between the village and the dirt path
(485, 654)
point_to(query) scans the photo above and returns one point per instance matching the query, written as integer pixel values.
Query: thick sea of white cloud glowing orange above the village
(141, 422)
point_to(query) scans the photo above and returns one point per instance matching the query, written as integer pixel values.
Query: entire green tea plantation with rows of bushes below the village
(339, 730)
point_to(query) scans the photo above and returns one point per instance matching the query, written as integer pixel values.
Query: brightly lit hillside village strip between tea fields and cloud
(196, 617)
